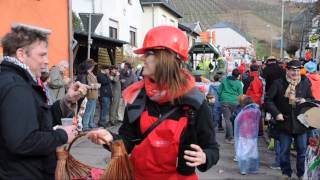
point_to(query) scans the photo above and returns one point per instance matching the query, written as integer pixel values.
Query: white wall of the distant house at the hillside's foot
(227, 37)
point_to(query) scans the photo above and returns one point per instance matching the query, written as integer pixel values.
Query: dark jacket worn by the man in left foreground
(28, 141)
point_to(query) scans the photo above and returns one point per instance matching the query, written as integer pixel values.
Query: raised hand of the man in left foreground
(75, 92)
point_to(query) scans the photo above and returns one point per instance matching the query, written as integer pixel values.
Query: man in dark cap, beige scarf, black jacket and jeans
(281, 101)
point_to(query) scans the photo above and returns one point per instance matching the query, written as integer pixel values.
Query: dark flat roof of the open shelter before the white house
(98, 40)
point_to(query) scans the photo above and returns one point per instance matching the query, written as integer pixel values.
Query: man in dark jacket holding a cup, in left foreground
(28, 139)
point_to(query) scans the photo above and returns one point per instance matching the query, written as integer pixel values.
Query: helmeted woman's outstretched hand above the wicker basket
(100, 136)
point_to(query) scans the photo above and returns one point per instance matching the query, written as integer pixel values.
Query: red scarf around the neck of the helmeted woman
(153, 91)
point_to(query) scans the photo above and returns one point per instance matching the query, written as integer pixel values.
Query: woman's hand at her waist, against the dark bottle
(195, 157)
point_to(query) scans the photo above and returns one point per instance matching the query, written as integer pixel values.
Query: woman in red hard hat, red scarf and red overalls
(167, 126)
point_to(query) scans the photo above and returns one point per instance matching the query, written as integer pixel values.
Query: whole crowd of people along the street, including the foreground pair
(171, 113)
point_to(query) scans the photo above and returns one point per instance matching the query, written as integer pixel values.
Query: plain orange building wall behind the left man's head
(52, 15)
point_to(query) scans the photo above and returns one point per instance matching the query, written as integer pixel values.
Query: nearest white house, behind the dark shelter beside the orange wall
(122, 19)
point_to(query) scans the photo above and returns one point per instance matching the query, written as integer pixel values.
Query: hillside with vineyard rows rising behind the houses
(251, 16)
